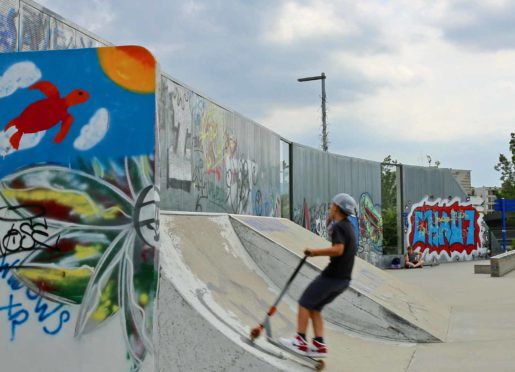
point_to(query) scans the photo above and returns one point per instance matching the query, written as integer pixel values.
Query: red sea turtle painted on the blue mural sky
(46, 113)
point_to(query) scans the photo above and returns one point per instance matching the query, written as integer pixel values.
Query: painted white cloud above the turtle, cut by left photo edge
(19, 75)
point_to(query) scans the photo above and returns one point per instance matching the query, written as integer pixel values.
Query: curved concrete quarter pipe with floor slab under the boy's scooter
(212, 293)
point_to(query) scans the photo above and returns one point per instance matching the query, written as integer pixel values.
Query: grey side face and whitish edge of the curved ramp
(194, 333)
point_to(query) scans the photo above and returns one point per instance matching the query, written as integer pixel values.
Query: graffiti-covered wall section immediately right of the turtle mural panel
(215, 160)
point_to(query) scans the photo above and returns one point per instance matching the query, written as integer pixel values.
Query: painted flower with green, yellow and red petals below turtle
(102, 252)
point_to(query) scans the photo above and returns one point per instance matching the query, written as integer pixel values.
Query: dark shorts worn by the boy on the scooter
(322, 291)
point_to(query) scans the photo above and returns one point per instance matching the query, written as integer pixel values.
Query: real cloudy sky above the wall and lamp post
(404, 77)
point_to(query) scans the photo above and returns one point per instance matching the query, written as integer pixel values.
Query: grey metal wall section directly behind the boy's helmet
(318, 176)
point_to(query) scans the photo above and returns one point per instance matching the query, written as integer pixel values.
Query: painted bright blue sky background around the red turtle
(128, 112)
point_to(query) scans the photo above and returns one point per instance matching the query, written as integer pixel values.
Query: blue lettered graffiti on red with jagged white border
(446, 230)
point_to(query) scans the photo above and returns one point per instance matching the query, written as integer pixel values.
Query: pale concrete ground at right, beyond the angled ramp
(481, 333)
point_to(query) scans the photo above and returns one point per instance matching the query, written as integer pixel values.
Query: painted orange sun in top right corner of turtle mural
(131, 67)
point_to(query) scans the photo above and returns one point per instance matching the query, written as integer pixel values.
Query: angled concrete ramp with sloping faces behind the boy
(377, 304)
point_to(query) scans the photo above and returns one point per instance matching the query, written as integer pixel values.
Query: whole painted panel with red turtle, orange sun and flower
(78, 209)
